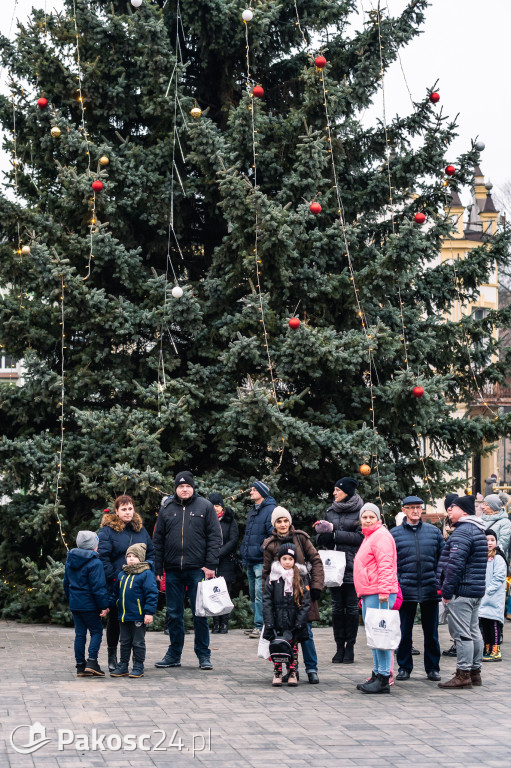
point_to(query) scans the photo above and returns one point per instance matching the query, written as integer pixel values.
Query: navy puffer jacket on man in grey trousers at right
(461, 570)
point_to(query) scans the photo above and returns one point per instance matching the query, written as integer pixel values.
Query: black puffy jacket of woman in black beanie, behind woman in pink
(347, 534)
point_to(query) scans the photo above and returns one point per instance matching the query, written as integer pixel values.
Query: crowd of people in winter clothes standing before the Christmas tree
(458, 575)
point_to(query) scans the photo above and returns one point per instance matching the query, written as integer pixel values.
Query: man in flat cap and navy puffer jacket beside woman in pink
(419, 546)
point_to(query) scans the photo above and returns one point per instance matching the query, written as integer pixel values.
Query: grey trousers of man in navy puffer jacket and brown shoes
(463, 622)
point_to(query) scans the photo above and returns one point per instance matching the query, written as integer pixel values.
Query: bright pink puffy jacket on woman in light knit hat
(375, 565)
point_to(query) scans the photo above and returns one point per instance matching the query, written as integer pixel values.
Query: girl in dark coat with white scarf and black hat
(286, 604)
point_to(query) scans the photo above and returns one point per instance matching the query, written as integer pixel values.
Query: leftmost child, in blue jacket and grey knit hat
(85, 589)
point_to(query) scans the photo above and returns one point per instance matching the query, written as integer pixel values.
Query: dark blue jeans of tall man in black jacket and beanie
(176, 582)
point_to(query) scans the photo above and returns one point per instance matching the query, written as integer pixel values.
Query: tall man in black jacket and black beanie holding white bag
(187, 541)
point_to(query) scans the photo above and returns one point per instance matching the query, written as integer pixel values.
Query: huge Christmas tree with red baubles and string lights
(209, 262)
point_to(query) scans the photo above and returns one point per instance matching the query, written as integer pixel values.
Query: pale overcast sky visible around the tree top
(465, 44)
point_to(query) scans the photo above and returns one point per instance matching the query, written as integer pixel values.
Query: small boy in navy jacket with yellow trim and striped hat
(136, 605)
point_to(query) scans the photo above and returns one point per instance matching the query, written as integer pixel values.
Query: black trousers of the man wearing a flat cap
(429, 621)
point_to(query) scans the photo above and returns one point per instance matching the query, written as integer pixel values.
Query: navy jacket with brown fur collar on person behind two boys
(115, 537)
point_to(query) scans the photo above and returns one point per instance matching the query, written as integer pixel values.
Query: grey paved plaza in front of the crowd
(234, 717)
